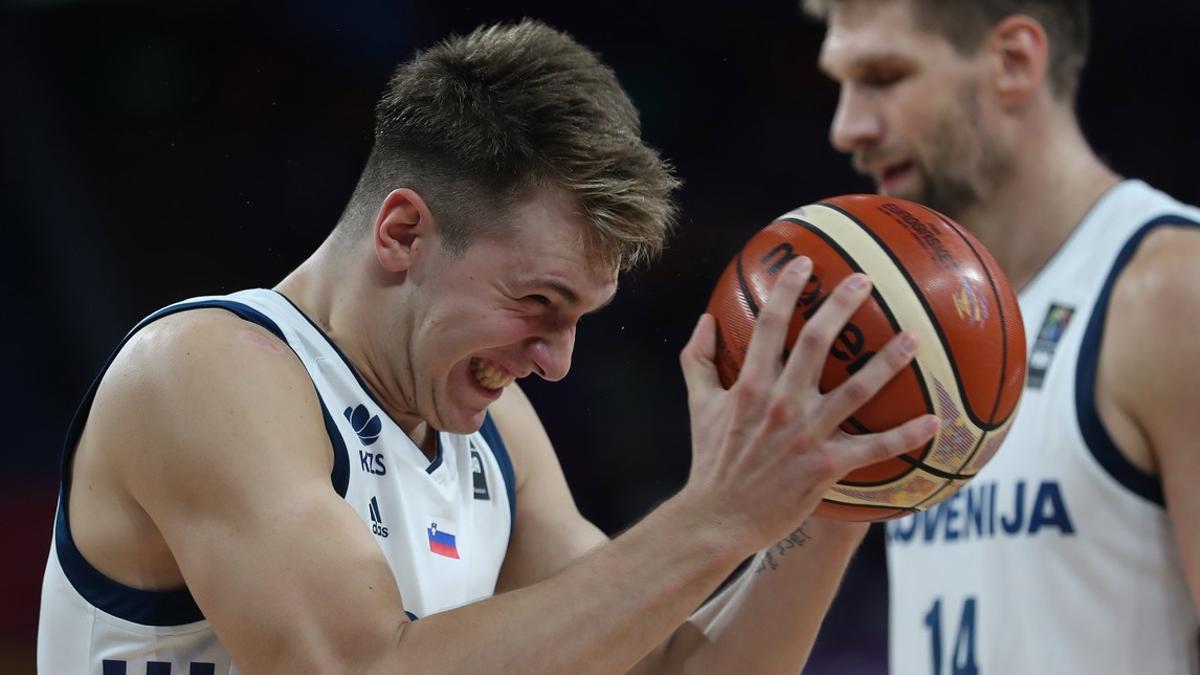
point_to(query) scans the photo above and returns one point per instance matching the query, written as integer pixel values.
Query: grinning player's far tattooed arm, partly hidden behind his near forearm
(766, 622)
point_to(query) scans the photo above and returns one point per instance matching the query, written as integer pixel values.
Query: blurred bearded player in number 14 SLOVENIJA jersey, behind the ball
(1077, 548)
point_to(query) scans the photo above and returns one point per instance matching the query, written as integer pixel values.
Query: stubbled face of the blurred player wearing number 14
(913, 111)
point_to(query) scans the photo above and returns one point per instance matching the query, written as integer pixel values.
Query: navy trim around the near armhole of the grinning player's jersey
(154, 608)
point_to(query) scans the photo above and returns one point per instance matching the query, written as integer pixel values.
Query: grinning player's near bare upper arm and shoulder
(229, 456)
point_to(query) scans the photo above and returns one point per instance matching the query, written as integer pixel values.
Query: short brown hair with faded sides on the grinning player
(476, 124)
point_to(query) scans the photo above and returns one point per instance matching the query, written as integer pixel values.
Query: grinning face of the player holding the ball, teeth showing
(505, 309)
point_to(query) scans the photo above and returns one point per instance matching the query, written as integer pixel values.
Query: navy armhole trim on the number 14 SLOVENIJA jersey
(1097, 439)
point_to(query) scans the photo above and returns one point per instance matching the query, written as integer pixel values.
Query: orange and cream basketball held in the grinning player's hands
(932, 278)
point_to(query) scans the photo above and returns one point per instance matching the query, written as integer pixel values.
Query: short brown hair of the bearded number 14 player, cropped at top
(965, 23)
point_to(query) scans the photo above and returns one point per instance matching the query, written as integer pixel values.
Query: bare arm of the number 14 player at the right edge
(1150, 368)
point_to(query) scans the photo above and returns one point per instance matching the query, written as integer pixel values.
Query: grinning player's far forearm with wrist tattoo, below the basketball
(767, 620)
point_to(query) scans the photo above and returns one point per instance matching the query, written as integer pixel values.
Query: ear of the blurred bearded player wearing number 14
(1021, 55)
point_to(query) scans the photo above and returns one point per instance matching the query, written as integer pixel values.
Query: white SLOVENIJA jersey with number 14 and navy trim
(1059, 557)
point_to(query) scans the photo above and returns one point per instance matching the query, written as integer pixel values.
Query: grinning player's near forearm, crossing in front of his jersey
(599, 616)
